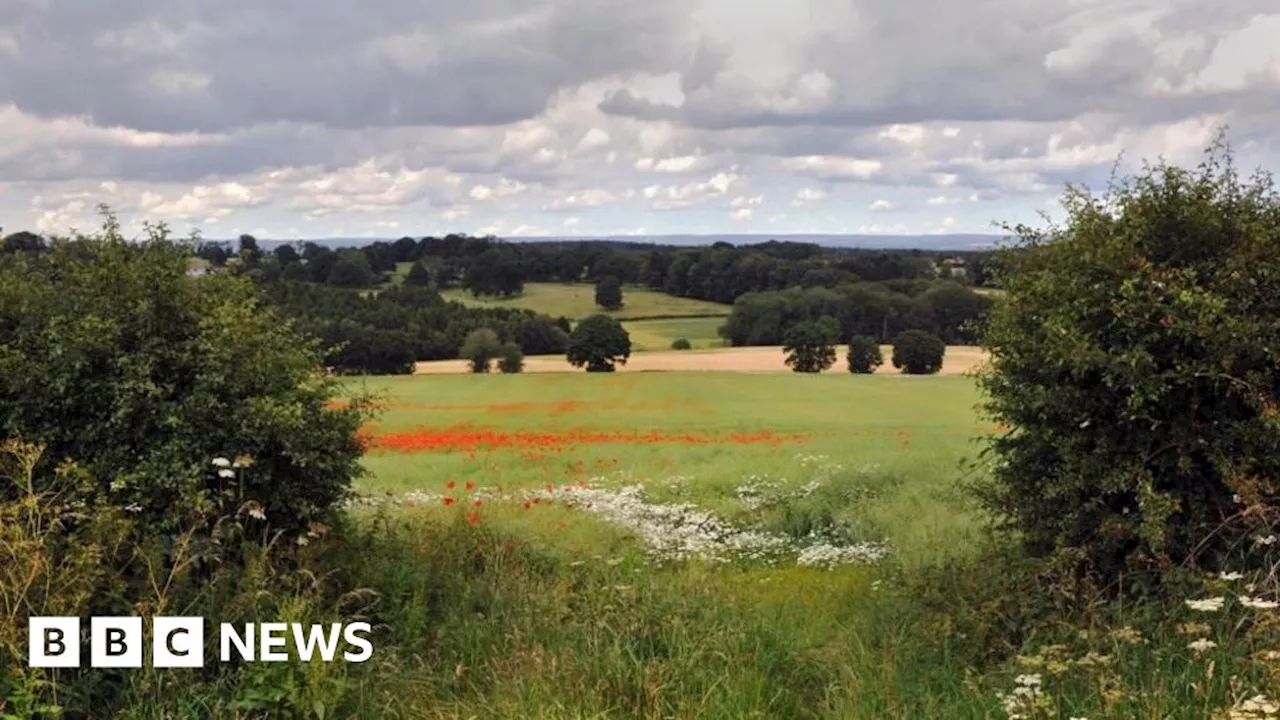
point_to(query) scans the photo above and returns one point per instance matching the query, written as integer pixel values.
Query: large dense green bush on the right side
(1136, 364)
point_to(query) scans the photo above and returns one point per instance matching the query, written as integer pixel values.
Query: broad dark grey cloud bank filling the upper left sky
(327, 62)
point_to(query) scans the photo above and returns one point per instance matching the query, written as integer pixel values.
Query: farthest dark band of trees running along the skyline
(490, 267)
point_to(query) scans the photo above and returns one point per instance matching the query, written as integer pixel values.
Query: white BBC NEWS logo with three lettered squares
(180, 642)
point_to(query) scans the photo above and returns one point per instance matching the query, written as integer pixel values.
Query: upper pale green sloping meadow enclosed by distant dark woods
(578, 300)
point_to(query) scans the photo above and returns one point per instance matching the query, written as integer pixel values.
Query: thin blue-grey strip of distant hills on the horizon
(861, 241)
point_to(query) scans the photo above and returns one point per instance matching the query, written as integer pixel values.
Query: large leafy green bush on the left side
(118, 359)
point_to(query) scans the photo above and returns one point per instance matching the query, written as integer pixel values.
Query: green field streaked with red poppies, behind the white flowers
(877, 449)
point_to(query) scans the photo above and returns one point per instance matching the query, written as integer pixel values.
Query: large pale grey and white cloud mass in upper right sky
(986, 61)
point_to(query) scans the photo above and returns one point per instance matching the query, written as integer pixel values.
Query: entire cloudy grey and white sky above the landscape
(331, 119)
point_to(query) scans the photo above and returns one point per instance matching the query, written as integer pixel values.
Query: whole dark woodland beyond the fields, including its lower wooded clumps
(344, 297)
